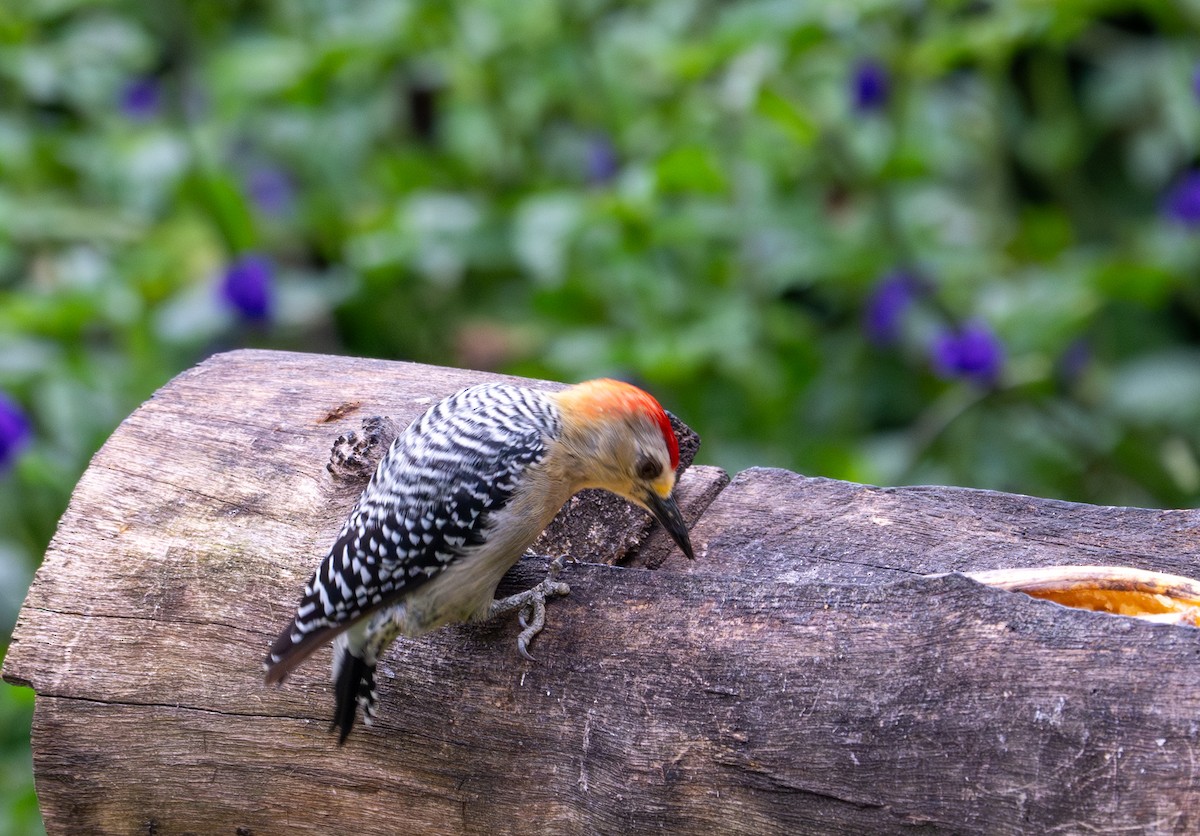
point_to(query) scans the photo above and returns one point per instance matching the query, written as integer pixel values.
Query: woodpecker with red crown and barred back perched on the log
(454, 504)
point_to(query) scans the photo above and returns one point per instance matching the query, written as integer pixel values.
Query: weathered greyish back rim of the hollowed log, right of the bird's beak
(820, 530)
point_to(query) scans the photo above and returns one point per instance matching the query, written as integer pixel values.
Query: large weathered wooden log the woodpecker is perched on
(802, 676)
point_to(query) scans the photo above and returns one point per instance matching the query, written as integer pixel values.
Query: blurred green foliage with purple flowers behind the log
(709, 199)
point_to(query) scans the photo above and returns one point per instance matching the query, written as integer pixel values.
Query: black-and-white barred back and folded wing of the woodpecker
(428, 503)
